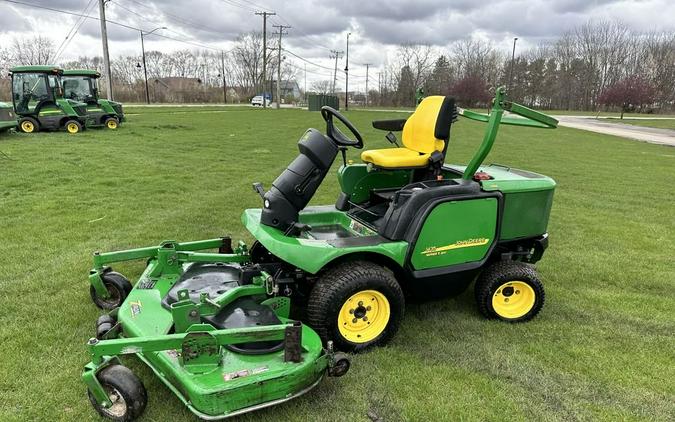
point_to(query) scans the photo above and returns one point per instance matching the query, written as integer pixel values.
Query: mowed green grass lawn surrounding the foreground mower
(603, 348)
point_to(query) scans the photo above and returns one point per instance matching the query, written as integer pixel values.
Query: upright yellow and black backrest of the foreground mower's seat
(428, 129)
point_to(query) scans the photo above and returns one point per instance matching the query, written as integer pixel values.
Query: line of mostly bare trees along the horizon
(594, 66)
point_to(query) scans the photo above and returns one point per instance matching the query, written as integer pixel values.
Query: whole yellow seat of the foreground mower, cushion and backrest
(426, 130)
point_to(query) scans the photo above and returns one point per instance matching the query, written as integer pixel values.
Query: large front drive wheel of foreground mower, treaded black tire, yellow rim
(357, 305)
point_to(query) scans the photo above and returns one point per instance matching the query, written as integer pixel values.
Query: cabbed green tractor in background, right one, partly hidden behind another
(82, 85)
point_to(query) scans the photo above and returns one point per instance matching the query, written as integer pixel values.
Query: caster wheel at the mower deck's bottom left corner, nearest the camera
(125, 391)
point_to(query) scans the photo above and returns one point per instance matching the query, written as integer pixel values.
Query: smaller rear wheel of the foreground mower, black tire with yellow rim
(510, 291)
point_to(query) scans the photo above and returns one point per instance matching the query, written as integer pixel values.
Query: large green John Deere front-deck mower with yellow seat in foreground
(220, 326)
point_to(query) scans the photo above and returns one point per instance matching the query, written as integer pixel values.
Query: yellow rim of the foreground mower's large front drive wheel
(364, 316)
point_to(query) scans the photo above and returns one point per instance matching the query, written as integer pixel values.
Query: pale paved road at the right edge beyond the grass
(640, 133)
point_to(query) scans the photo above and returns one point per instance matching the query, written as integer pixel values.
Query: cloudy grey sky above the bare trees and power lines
(317, 26)
